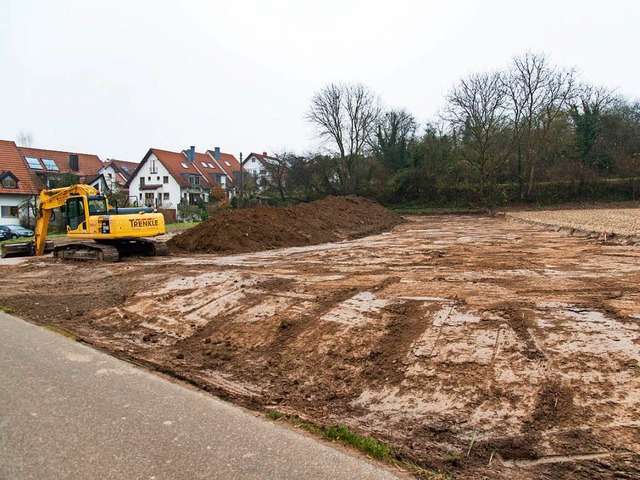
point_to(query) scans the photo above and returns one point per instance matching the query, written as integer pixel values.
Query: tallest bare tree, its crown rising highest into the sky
(539, 92)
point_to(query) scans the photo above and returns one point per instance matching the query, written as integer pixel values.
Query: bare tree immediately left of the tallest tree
(477, 110)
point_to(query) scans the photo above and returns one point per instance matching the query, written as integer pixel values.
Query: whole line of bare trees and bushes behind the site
(532, 132)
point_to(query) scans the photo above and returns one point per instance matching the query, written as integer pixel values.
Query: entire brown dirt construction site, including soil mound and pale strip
(498, 347)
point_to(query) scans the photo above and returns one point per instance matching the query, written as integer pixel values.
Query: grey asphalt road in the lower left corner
(68, 411)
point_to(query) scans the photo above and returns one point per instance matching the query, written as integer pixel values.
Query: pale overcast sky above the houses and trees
(118, 77)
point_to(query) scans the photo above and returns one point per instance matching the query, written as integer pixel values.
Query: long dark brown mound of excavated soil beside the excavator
(261, 228)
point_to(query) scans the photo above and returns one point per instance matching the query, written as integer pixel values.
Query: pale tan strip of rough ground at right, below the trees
(624, 222)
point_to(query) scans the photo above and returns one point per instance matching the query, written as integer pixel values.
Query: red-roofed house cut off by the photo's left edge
(18, 186)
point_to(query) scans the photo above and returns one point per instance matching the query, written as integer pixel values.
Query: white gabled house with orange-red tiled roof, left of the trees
(165, 179)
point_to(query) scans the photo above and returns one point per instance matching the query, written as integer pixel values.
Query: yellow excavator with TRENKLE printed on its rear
(100, 231)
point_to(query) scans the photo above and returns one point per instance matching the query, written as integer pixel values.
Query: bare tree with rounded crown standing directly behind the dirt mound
(346, 116)
